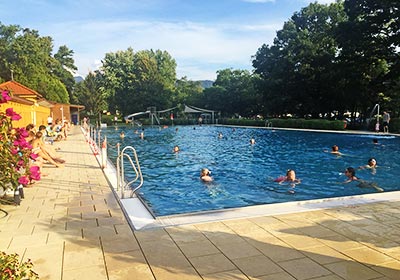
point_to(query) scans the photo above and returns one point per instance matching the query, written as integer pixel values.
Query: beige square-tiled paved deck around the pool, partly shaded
(72, 227)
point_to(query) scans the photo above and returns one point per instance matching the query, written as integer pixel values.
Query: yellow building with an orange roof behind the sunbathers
(31, 105)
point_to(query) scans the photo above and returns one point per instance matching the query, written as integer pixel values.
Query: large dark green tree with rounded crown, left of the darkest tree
(297, 70)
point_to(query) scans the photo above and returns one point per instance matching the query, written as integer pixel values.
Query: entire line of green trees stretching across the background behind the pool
(326, 59)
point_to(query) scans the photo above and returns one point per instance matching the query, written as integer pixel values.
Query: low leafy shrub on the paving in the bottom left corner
(12, 268)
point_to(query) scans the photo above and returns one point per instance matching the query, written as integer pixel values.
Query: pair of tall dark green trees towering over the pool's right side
(340, 57)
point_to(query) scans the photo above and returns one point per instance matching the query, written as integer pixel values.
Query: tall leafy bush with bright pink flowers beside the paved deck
(15, 151)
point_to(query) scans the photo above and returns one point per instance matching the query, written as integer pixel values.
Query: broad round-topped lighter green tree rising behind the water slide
(139, 80)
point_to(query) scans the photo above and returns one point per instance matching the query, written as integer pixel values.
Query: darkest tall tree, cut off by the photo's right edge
(370, 42)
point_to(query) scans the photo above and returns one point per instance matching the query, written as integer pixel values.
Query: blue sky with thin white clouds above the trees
(203, 36)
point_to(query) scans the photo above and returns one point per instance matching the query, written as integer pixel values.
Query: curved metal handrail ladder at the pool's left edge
(128, 154)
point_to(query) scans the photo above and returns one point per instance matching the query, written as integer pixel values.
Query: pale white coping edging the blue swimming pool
(140, 218)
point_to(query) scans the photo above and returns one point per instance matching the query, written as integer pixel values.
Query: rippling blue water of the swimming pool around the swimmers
(243, 173)
